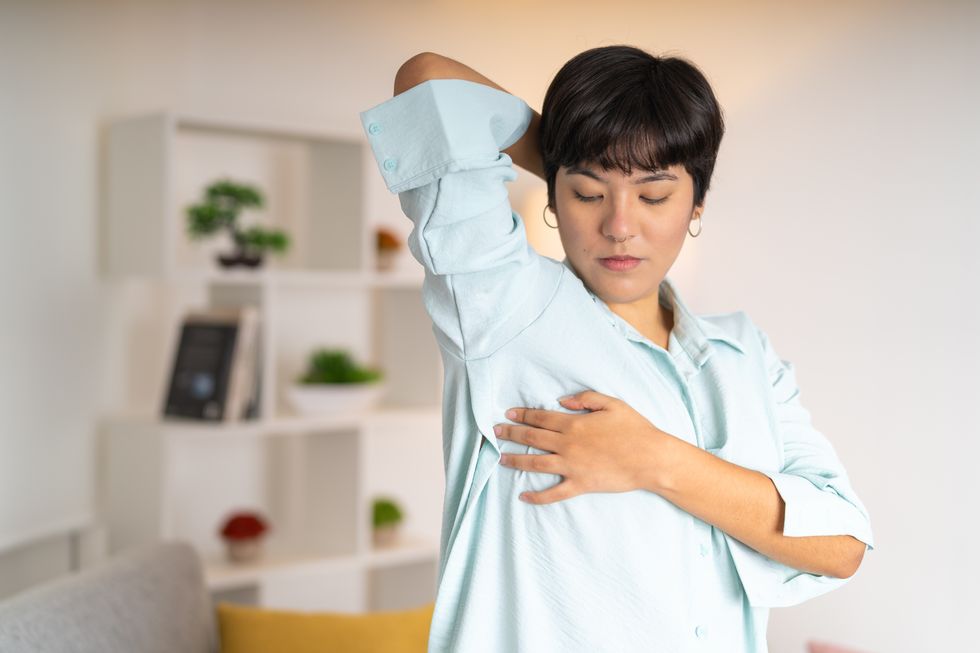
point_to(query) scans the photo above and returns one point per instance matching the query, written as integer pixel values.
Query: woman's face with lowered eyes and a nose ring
(651, 210)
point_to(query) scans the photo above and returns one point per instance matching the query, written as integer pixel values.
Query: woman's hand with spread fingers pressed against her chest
(610, 449)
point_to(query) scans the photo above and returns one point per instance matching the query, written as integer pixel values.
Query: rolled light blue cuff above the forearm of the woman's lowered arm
(811, 511)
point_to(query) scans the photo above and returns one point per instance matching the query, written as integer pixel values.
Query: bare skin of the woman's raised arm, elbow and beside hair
(526, 152)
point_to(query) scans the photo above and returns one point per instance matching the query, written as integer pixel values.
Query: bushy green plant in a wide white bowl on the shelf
(334, 382)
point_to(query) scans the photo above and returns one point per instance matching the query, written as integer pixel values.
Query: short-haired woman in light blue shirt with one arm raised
(680, 491)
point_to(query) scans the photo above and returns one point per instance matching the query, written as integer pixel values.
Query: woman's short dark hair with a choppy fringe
(619, 106)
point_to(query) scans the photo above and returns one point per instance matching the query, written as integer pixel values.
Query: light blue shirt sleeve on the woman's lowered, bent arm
(818, 495)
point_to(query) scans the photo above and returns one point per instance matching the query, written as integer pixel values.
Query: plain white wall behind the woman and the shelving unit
(842, 216)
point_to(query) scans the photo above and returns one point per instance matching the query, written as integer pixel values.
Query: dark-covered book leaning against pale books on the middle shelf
(215, 373)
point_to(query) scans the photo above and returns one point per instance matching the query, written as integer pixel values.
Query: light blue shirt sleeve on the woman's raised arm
(438, 145)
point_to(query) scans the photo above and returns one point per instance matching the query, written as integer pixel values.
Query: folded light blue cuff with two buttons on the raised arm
(438, 126)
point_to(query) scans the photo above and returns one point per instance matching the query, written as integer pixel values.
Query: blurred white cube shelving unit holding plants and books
(315, 477)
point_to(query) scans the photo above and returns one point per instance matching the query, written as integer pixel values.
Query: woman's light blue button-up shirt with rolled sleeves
(616, 572)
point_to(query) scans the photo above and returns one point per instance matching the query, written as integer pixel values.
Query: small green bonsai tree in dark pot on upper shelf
(219, 210)
